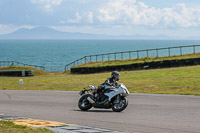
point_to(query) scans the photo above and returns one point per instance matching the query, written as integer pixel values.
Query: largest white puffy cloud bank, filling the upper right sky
(131, 12)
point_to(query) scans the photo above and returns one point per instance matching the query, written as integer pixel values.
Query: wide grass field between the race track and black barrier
(180, 80)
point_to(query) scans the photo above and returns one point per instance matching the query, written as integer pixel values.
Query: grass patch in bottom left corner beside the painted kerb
(10, 127)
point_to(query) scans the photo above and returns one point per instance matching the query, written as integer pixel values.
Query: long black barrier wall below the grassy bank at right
(138, 66)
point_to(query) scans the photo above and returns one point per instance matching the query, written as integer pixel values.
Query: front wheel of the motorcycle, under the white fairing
(120, 105)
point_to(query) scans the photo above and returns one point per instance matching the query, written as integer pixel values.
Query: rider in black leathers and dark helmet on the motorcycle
(112, 81)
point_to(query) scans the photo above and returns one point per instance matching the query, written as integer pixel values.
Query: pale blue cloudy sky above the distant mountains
(111, 17)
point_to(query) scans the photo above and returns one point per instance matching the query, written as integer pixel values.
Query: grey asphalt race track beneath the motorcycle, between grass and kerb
(146, 113)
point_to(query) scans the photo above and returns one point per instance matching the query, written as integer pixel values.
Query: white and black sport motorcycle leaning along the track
(109, 97)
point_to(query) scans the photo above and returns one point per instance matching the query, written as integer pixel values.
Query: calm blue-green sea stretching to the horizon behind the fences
(62, 52)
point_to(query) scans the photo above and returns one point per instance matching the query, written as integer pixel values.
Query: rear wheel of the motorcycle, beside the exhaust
(83, 103)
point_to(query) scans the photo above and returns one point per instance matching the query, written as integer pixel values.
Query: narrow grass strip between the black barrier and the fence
(139, 60)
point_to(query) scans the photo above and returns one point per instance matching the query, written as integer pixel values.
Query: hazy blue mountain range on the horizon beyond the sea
(48, 33)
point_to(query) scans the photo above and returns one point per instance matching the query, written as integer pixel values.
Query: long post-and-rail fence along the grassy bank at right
(131, 55)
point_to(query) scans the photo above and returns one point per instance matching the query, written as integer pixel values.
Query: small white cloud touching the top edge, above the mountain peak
(47, 4)
